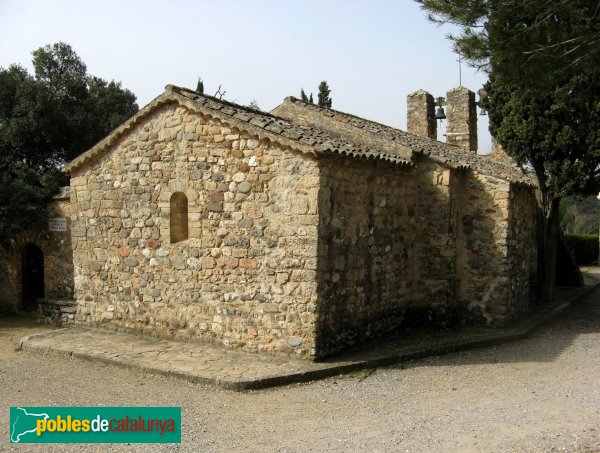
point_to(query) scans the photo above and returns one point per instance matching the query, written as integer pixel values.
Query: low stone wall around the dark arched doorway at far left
(58, 264)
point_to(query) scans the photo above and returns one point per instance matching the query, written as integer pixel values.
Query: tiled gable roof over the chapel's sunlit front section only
(263, 125)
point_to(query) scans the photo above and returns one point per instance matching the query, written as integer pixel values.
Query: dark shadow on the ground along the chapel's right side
(553, 335)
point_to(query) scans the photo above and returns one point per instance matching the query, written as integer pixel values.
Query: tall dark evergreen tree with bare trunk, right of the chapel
(543, 98)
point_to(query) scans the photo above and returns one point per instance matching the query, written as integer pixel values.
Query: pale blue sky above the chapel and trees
(372, 53)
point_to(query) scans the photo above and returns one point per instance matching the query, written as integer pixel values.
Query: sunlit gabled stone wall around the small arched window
(245, 277)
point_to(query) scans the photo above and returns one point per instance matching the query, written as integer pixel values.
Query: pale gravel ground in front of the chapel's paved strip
(540, 394)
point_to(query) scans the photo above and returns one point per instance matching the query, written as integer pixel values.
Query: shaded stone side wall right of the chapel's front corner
(386, 249)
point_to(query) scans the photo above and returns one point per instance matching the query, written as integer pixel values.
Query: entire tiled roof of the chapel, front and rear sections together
(375, 141)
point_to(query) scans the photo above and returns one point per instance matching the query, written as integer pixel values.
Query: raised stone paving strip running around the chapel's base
(238, 370)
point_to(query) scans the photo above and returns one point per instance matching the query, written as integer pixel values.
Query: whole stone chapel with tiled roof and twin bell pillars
(302, 231)
